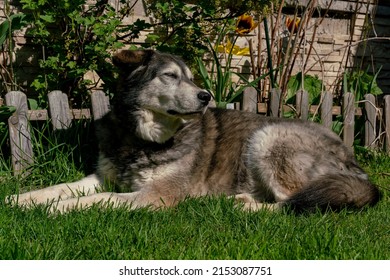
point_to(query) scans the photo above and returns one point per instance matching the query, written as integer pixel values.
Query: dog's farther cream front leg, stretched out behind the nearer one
(85, 186)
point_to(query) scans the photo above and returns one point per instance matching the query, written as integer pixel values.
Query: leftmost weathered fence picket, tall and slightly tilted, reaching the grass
(19, 133)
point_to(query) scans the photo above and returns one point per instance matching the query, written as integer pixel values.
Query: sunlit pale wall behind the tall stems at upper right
(330, 55)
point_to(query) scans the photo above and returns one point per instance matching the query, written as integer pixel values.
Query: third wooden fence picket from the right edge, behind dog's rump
(349, 119)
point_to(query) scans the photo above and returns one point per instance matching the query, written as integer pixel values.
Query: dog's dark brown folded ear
(128, 59)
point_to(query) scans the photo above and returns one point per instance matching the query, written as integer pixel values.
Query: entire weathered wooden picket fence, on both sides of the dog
(61, 117)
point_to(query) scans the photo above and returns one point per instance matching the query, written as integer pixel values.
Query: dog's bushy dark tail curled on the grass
(334, 192)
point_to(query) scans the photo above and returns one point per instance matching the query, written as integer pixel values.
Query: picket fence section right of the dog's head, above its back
(377, 120)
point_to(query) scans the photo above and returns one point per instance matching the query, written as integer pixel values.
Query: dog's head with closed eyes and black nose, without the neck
(159, 82)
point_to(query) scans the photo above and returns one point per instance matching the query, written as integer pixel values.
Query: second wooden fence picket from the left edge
(59, 110)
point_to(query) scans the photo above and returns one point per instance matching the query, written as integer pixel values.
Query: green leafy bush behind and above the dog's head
(76, 37)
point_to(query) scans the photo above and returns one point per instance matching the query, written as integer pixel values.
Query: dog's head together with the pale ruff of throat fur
(157, 92)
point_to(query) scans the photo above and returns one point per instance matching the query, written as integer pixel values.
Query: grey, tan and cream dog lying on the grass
(160, 144)
